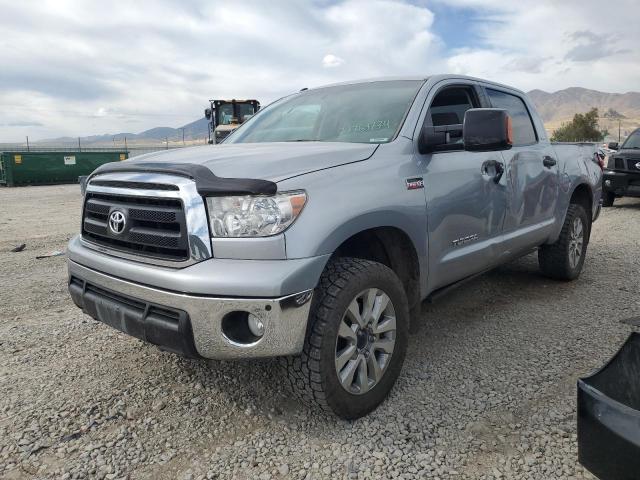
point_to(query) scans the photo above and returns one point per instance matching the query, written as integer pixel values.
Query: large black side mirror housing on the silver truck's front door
(487, 129)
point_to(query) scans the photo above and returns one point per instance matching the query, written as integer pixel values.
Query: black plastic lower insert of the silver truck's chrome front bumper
(168, 328)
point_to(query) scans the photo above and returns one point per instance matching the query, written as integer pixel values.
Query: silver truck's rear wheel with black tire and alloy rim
(563, 260)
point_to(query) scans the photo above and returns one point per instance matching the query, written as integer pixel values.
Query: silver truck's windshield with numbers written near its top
(360, 113)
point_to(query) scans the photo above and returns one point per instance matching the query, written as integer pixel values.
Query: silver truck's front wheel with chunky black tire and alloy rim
(343, 293)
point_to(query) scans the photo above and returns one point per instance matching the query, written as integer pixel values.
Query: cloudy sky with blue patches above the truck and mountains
(78, 68)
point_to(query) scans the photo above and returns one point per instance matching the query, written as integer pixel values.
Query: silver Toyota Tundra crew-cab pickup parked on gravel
(315, 231)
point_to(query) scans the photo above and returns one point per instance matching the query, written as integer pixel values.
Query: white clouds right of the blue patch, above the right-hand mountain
(553, 45)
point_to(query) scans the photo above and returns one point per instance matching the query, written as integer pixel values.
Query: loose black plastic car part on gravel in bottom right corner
(609, 416)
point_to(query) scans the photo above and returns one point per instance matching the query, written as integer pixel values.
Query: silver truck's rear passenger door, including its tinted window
(531, 176)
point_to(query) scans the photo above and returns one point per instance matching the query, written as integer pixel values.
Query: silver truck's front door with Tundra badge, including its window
(466, 199)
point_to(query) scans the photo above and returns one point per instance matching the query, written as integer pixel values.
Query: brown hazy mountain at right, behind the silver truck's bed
(558, 107)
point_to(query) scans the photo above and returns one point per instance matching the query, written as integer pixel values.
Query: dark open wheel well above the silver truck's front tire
(391, 247)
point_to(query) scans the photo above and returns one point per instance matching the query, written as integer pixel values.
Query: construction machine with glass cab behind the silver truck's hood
(225, 116)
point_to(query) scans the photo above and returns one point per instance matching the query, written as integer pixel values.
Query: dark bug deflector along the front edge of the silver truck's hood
(206, 182)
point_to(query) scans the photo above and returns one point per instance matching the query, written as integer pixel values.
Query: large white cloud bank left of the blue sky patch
(79, 67)
